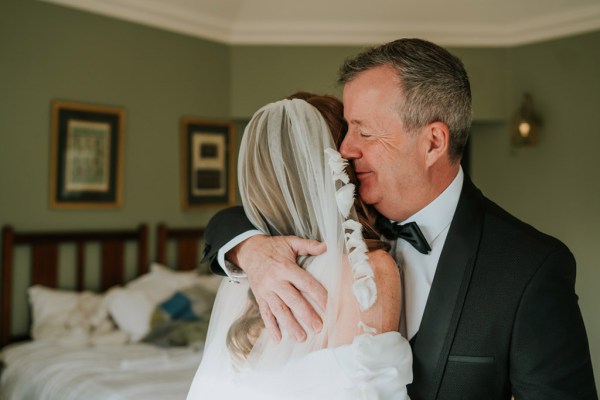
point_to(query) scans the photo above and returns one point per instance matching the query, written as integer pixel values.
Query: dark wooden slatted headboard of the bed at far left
(44, 250)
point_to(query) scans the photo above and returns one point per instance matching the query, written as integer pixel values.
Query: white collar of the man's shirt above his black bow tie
(437, 215)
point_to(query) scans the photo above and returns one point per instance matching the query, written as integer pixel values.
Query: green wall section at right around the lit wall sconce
(555, 186)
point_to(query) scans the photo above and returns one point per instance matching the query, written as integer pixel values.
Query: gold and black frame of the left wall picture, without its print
(109, 124)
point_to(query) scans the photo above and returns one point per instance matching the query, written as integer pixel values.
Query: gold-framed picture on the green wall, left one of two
(86, 156)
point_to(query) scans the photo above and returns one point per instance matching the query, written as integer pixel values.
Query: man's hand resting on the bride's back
(278, 282)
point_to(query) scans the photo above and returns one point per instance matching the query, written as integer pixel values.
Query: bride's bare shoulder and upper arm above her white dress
(384, 315)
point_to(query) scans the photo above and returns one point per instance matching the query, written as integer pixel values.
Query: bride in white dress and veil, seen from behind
(293, 181)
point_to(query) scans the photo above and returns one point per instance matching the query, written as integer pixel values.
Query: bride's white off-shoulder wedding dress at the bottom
(372, 367)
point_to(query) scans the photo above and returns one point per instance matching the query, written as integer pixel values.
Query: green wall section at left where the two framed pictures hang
(54, 53)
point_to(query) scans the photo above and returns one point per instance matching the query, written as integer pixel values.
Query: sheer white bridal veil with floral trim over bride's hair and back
(292, 181)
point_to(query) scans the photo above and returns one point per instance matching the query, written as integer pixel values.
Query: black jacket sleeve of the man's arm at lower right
(550, 357)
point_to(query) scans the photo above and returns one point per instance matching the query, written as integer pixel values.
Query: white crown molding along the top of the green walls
(159, 15)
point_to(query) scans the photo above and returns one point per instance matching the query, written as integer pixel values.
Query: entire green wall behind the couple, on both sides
(49, 52)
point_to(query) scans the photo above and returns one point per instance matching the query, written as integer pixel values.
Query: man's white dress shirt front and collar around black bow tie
(419, 269)
